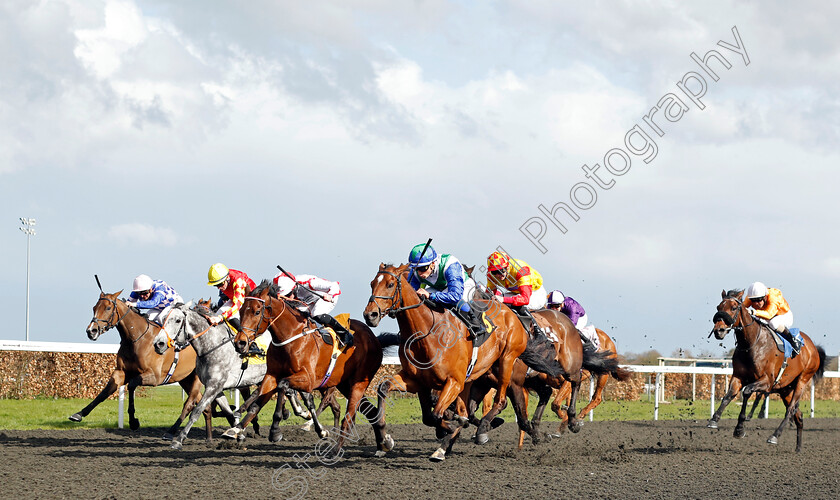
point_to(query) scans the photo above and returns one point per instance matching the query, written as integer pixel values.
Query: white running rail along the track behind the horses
(658, 371)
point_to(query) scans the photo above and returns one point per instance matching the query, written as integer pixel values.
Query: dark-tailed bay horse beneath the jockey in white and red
(298, 357)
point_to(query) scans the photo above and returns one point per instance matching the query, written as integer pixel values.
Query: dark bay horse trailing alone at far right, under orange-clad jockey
(759, 367)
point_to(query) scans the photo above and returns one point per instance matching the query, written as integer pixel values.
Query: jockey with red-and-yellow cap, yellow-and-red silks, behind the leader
(516, 284)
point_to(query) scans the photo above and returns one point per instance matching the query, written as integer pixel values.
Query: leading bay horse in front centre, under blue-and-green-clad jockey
(435, 355)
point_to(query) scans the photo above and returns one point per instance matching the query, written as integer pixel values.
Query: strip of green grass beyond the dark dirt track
(159, 407)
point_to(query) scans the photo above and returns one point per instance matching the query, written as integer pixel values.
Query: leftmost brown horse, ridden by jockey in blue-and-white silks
(138, 363)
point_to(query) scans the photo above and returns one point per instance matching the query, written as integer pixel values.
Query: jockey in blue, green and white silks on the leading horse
(443, 280)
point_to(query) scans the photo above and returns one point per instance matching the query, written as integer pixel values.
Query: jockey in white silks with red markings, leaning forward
(319, 295)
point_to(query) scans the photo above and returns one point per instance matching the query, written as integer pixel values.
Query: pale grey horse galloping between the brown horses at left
(218, 365)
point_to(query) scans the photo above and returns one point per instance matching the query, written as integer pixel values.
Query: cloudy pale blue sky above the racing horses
(160, 137)
